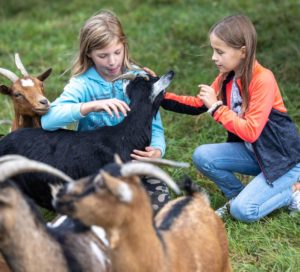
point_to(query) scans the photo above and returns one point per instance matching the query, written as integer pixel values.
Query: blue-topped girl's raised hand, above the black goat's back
(112, 106)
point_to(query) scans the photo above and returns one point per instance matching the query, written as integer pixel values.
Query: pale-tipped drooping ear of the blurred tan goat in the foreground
(117, 187)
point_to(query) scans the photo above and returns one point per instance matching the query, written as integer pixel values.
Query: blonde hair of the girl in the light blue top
(97, 33)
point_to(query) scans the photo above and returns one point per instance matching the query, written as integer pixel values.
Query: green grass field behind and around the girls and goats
(163, 35)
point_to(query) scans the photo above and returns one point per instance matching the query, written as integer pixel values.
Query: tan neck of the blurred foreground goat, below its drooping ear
(137, 234)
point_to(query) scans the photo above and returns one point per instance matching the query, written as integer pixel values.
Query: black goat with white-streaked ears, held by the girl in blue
(79, 154)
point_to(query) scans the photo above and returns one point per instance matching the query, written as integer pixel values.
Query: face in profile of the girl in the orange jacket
(225, 57)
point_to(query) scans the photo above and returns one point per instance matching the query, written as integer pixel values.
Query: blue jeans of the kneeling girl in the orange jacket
(219, 162)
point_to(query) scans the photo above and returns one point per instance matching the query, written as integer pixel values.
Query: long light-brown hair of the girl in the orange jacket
(238, 31)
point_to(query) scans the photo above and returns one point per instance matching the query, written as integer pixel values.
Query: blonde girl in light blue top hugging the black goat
(92, 101)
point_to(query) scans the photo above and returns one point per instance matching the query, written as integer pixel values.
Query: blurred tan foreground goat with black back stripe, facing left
(186, 236)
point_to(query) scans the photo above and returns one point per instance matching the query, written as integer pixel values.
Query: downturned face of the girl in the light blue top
(109, 60)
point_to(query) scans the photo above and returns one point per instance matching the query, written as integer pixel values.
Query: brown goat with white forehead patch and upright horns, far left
(27, 94)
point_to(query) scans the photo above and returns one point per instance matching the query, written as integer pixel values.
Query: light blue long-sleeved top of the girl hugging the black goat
(86, 87)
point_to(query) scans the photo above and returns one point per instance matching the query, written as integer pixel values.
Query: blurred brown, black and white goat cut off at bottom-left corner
(28, 245)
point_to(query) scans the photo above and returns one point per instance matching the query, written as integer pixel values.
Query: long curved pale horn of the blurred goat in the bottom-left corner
(12, 168)
